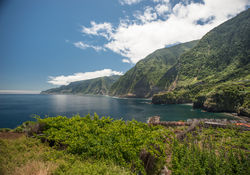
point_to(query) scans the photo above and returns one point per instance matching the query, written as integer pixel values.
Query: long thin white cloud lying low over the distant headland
(65, 80)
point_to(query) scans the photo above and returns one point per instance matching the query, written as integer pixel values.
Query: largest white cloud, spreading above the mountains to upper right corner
(163, 24)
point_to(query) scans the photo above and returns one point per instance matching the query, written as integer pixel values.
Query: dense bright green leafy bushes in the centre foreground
(130, 144)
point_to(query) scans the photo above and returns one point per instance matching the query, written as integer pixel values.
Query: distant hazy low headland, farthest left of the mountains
(97, 86)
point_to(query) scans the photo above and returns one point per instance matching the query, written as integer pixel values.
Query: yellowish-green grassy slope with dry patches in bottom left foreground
(28, 156)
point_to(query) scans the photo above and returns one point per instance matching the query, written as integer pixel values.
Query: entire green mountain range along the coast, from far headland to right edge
(213, 72)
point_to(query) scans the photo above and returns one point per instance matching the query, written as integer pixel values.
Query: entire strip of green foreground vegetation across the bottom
(93, 145)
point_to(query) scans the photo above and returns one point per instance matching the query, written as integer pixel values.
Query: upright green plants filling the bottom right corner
(212, 151)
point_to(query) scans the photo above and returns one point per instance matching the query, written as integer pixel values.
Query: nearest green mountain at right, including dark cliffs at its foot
(215, 74)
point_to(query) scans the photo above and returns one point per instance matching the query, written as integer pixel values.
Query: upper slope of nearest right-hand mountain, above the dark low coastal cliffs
(223, 54)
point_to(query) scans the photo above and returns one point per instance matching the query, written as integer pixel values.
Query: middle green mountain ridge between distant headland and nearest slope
(142, 79)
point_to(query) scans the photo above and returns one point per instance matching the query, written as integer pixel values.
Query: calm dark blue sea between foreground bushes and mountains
(15, 109)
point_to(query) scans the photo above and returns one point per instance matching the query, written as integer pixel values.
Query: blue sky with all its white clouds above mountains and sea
(48, 43)
